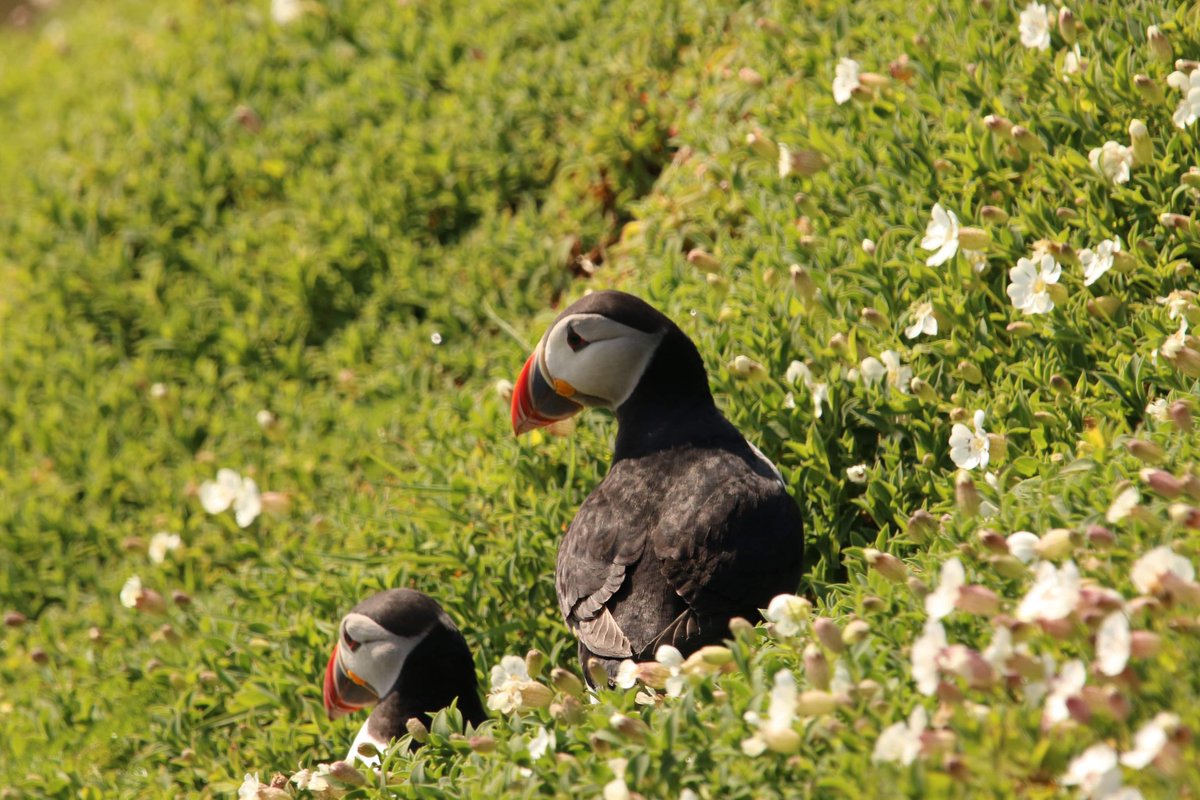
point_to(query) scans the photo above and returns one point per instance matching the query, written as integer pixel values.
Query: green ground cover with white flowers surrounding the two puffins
(268, 269)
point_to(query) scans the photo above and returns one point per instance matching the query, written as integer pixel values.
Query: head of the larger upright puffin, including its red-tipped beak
(601, 352)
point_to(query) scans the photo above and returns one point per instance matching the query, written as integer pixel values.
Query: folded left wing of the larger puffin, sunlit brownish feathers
(604, 544)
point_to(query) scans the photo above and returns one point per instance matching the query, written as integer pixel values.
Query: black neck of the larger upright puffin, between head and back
(673, 405)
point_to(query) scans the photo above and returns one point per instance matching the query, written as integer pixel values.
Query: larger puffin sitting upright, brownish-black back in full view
(693, 525)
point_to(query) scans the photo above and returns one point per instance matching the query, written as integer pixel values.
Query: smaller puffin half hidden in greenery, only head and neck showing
(399, 652)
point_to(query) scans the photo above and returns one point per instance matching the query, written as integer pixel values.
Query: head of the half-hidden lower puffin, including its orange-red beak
(374, 642)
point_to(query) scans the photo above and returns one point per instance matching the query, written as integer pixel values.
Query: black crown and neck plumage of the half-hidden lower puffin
(439, 671)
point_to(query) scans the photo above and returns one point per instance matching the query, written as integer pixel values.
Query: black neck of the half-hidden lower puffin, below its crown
(436, 673)
